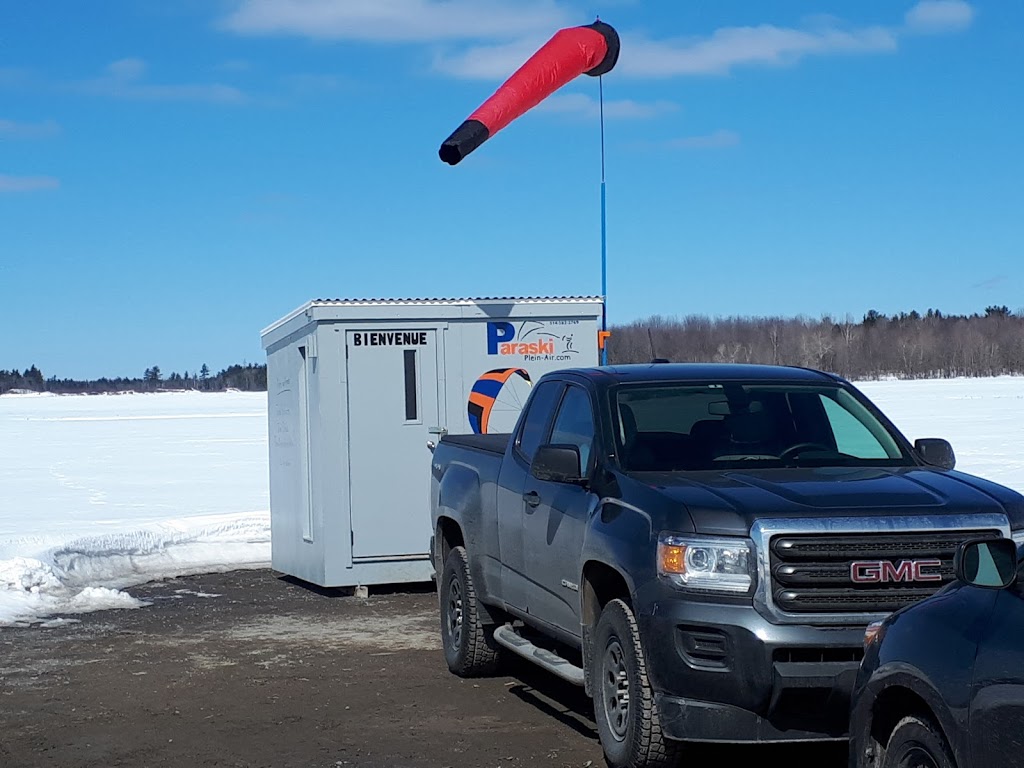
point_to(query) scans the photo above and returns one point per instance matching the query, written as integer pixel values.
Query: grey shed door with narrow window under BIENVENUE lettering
(393, 402)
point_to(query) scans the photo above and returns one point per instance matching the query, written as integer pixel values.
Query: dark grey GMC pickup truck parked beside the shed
(700, 546)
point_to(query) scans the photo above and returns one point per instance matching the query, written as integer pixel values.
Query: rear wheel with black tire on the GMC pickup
(470, 646)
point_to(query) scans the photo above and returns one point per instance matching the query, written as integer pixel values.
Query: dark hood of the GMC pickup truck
(729, 503)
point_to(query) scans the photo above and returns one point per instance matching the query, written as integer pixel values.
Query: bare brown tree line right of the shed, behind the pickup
(909, 346)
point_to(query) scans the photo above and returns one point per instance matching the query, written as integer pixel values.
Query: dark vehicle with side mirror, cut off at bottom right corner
(943, 685)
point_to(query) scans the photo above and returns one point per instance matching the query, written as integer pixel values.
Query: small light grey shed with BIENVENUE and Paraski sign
(357, 389)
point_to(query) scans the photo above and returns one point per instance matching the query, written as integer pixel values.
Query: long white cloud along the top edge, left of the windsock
(395, 21)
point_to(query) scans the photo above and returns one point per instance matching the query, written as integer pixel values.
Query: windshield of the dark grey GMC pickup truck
(677, 428)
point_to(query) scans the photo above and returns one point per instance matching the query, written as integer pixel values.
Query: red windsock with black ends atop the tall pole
(579, 51)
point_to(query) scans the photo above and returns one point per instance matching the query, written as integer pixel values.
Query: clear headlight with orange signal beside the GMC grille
(697, 563)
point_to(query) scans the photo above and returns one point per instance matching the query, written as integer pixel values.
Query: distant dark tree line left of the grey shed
(249, 378)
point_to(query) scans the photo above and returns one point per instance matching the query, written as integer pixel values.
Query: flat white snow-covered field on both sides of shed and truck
(99, 494)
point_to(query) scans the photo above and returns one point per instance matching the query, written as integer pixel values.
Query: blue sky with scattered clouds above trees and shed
(178, 175)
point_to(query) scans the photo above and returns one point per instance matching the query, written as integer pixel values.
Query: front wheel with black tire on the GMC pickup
(629, 730)
